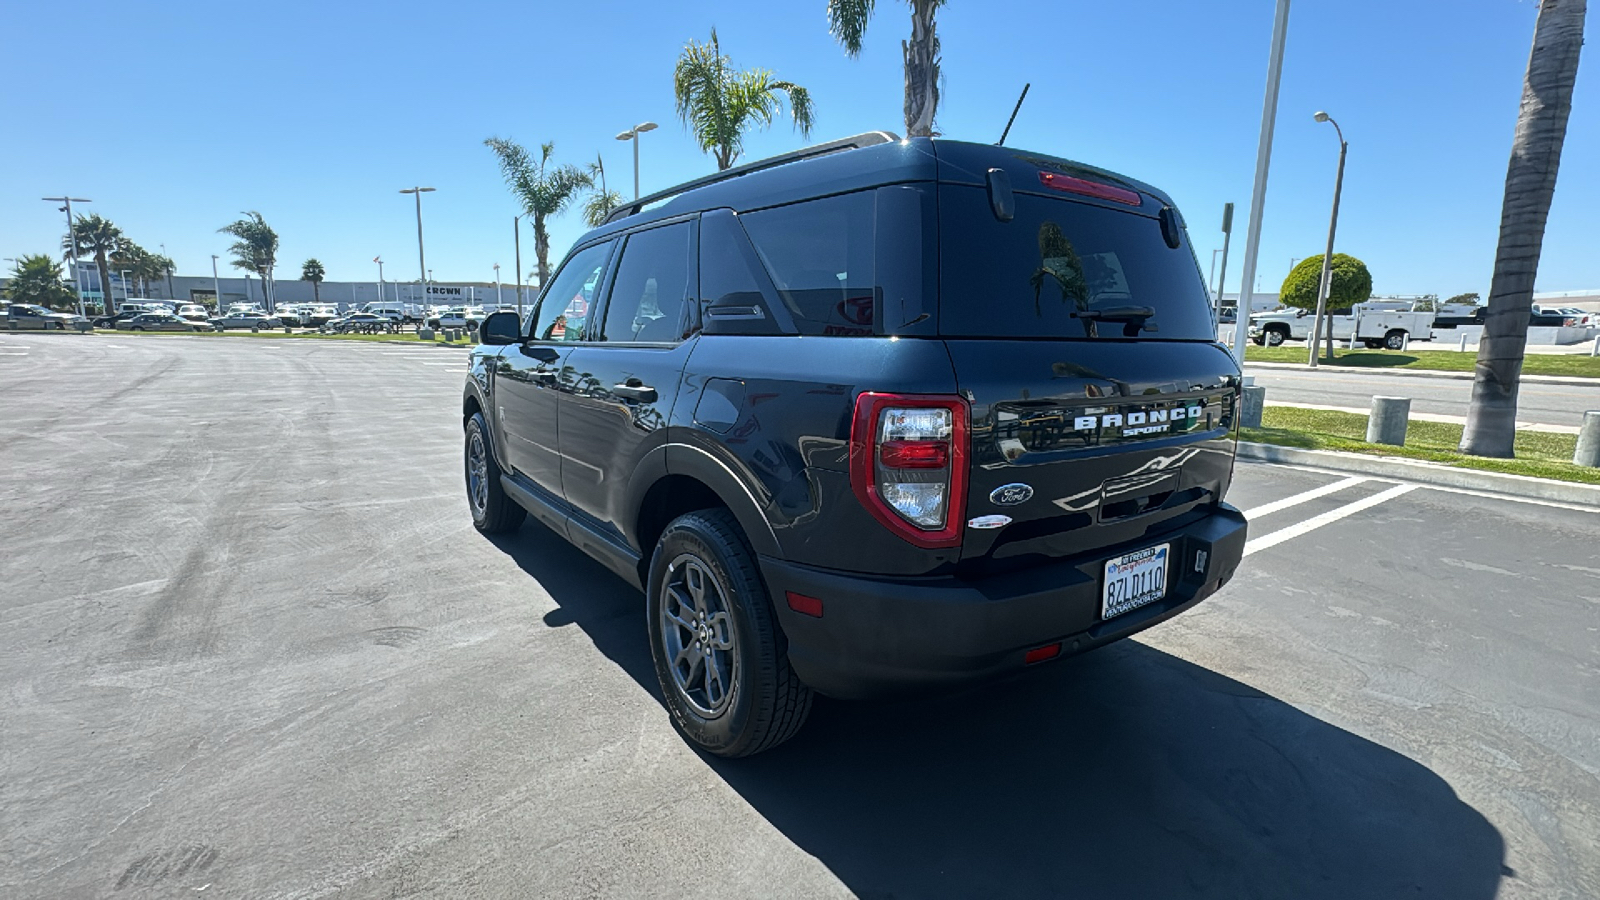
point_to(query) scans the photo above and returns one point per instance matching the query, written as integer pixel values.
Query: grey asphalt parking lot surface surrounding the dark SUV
(254, 648)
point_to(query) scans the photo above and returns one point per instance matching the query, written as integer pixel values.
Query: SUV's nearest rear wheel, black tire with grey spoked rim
(719, 654)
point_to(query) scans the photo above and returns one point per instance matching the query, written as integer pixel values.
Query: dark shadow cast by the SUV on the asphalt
(1127, 773)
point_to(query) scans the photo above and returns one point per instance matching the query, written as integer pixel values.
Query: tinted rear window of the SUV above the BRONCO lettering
(1057, 259)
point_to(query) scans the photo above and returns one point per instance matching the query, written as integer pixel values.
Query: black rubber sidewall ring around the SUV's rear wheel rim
(721, 734)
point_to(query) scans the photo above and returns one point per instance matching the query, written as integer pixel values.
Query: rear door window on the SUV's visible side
(652, 286)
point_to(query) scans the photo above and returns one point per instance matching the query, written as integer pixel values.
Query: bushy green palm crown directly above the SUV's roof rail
(721, 103)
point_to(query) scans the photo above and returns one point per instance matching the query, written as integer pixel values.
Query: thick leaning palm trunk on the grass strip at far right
(1530, 183)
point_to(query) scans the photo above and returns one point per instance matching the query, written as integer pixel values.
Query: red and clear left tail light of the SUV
(908, 465)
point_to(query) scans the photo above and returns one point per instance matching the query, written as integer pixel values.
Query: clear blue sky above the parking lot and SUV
(318, 115)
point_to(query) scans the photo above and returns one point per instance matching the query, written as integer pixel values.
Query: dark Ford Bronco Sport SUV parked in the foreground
(871, 417)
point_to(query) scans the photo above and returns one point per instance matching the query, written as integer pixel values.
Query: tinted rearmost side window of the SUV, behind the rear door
(820, 257)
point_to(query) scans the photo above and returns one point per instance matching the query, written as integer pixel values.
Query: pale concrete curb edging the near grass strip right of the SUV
(1426, 473)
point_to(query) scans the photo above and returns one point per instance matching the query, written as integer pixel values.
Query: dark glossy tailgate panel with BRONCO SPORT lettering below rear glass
(1086, 446)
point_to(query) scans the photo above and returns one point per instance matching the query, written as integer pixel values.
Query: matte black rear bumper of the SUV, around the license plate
(884, 637)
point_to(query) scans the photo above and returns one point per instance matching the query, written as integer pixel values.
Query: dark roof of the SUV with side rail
(862, 163)
